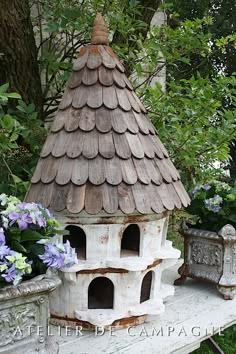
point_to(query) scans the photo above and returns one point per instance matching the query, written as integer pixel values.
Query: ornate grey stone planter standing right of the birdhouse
(210, 256)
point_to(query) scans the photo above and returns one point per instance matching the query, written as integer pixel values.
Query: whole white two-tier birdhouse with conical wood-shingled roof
(108, 178)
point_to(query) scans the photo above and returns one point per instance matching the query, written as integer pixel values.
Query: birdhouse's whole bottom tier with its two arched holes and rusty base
(104, 297)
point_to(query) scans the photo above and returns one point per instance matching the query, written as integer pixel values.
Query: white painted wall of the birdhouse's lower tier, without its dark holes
(127, 290)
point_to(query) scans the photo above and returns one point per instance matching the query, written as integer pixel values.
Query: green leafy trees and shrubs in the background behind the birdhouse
(194, 117)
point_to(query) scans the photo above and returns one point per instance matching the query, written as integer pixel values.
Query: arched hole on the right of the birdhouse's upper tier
(130, 242)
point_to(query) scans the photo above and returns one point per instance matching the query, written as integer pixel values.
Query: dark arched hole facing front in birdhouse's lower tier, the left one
(100, 293)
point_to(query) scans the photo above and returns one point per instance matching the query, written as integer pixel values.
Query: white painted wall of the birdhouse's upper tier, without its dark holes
(104, 242)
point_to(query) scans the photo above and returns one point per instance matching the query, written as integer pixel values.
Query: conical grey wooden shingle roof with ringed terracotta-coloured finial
(102, 153)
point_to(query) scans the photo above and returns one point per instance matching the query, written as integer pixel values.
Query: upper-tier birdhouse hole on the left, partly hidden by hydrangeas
(77, 240)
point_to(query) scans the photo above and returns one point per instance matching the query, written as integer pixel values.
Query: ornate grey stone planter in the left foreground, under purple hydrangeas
(24, 314)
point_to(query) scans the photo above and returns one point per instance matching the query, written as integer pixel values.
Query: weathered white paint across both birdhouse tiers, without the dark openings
(103, 250)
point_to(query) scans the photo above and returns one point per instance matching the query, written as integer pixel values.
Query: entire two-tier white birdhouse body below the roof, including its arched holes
(118, 279)
